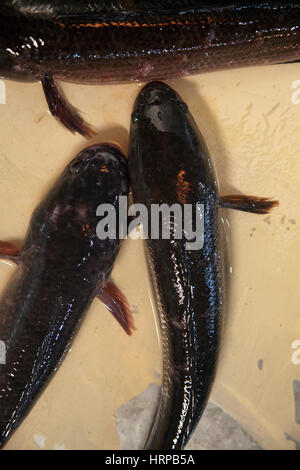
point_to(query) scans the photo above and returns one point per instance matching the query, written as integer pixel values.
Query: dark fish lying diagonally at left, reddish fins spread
(62, 266)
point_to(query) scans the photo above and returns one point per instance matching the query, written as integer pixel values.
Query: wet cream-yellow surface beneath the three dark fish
(254, 152)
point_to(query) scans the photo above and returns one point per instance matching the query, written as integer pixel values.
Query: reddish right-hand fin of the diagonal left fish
(117, 304)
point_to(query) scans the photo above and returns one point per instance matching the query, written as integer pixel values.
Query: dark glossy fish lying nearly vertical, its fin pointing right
(169, 165)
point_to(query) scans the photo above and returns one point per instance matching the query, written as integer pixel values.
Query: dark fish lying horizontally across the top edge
(137, 40)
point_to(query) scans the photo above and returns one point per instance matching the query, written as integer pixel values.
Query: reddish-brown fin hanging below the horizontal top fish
(62, 110)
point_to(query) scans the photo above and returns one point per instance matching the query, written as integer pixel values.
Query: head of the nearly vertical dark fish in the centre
(168, 157)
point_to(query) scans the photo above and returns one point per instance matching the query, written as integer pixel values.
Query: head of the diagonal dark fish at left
(70, 213)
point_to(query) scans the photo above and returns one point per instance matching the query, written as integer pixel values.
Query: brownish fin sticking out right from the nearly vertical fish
(254, 204)
